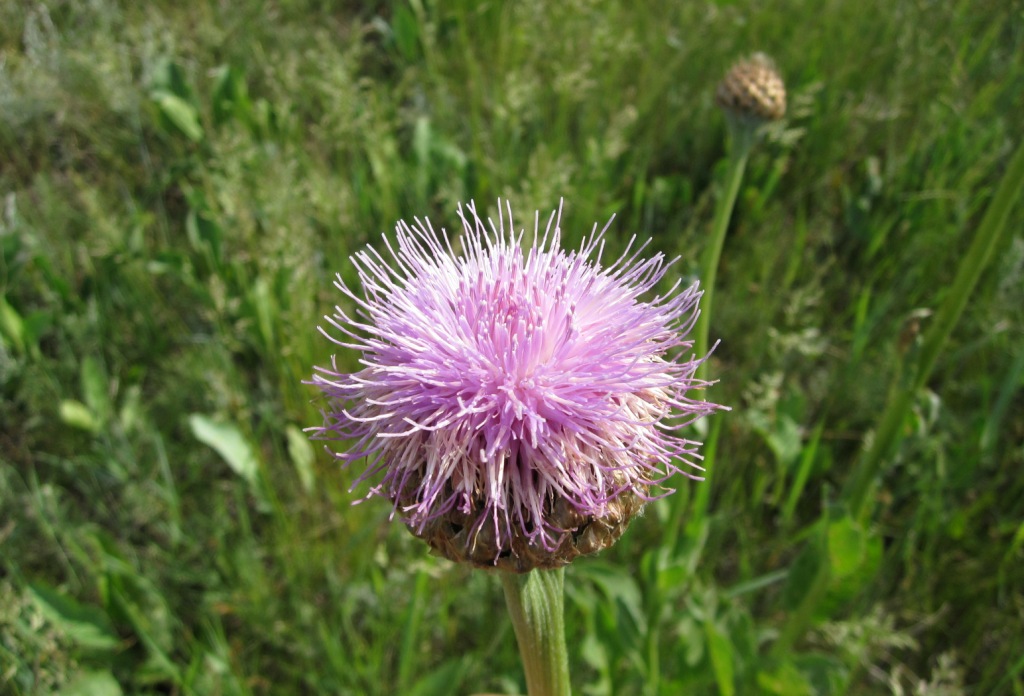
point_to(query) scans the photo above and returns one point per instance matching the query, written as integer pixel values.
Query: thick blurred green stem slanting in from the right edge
(985, 244)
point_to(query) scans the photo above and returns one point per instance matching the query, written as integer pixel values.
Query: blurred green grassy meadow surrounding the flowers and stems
(180, 183)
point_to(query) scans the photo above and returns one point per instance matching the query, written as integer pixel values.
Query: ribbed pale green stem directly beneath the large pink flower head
(536, 601)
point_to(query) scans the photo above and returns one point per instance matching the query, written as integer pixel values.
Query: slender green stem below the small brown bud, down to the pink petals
(743, 140)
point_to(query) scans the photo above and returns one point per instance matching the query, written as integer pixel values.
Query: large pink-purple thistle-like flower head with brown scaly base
(522, 404)
